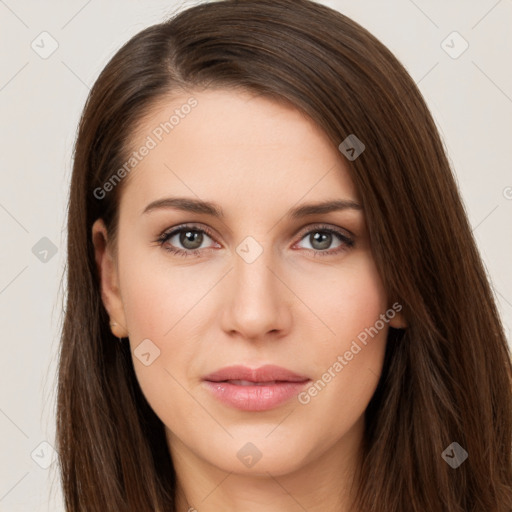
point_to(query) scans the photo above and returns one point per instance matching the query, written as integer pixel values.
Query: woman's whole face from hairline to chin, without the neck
(261, 277)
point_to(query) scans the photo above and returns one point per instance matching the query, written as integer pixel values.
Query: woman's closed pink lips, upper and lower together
(281, 385)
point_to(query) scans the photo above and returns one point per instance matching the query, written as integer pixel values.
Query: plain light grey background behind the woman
(41, 100)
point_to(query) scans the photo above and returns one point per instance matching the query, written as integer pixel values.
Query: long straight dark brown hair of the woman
(447, 377)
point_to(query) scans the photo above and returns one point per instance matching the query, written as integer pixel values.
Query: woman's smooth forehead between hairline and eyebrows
(233, 147)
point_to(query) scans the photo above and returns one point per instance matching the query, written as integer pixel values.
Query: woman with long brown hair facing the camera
(261, 210)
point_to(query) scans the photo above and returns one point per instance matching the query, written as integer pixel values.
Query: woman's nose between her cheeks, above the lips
(256, 304)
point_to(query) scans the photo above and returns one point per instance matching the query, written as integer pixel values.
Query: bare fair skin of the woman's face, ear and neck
(291, 306)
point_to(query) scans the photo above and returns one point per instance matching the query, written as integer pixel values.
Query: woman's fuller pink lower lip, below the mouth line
(255, 398)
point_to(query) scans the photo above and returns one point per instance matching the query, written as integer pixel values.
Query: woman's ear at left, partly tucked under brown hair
(109, 279)
